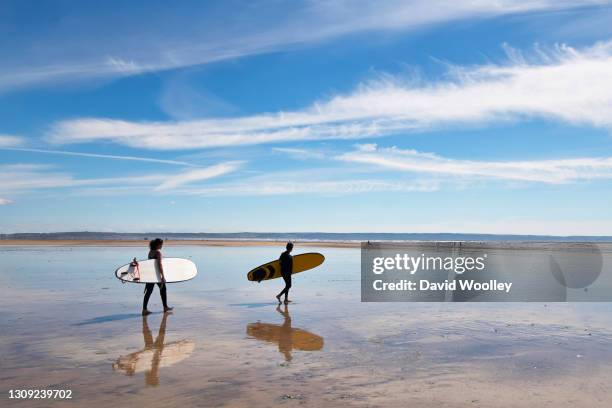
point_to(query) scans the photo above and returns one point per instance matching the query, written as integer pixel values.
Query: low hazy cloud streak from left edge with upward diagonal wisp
(33, 178)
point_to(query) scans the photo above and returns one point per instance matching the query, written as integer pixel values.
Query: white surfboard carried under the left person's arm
(175, 270)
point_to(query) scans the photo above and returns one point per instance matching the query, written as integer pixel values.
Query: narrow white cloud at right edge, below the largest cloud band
(545, 171)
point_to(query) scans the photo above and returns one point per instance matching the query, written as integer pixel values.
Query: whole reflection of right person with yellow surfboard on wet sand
(285, 336)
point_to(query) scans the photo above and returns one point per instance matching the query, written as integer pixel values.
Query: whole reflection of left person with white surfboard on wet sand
(156, 354)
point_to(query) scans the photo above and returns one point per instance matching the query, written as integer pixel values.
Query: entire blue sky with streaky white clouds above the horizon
(315, 116)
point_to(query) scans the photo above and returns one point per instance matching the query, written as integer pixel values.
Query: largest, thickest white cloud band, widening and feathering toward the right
(565, 84)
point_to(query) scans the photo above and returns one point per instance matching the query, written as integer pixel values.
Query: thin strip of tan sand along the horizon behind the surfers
(175, 242)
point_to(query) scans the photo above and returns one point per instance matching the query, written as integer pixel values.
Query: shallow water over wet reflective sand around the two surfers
(70, 324)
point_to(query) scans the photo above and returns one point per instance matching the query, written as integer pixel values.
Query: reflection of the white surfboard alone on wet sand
(168, 354)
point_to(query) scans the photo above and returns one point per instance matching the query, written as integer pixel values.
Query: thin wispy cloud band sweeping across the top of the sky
(210, 33)
